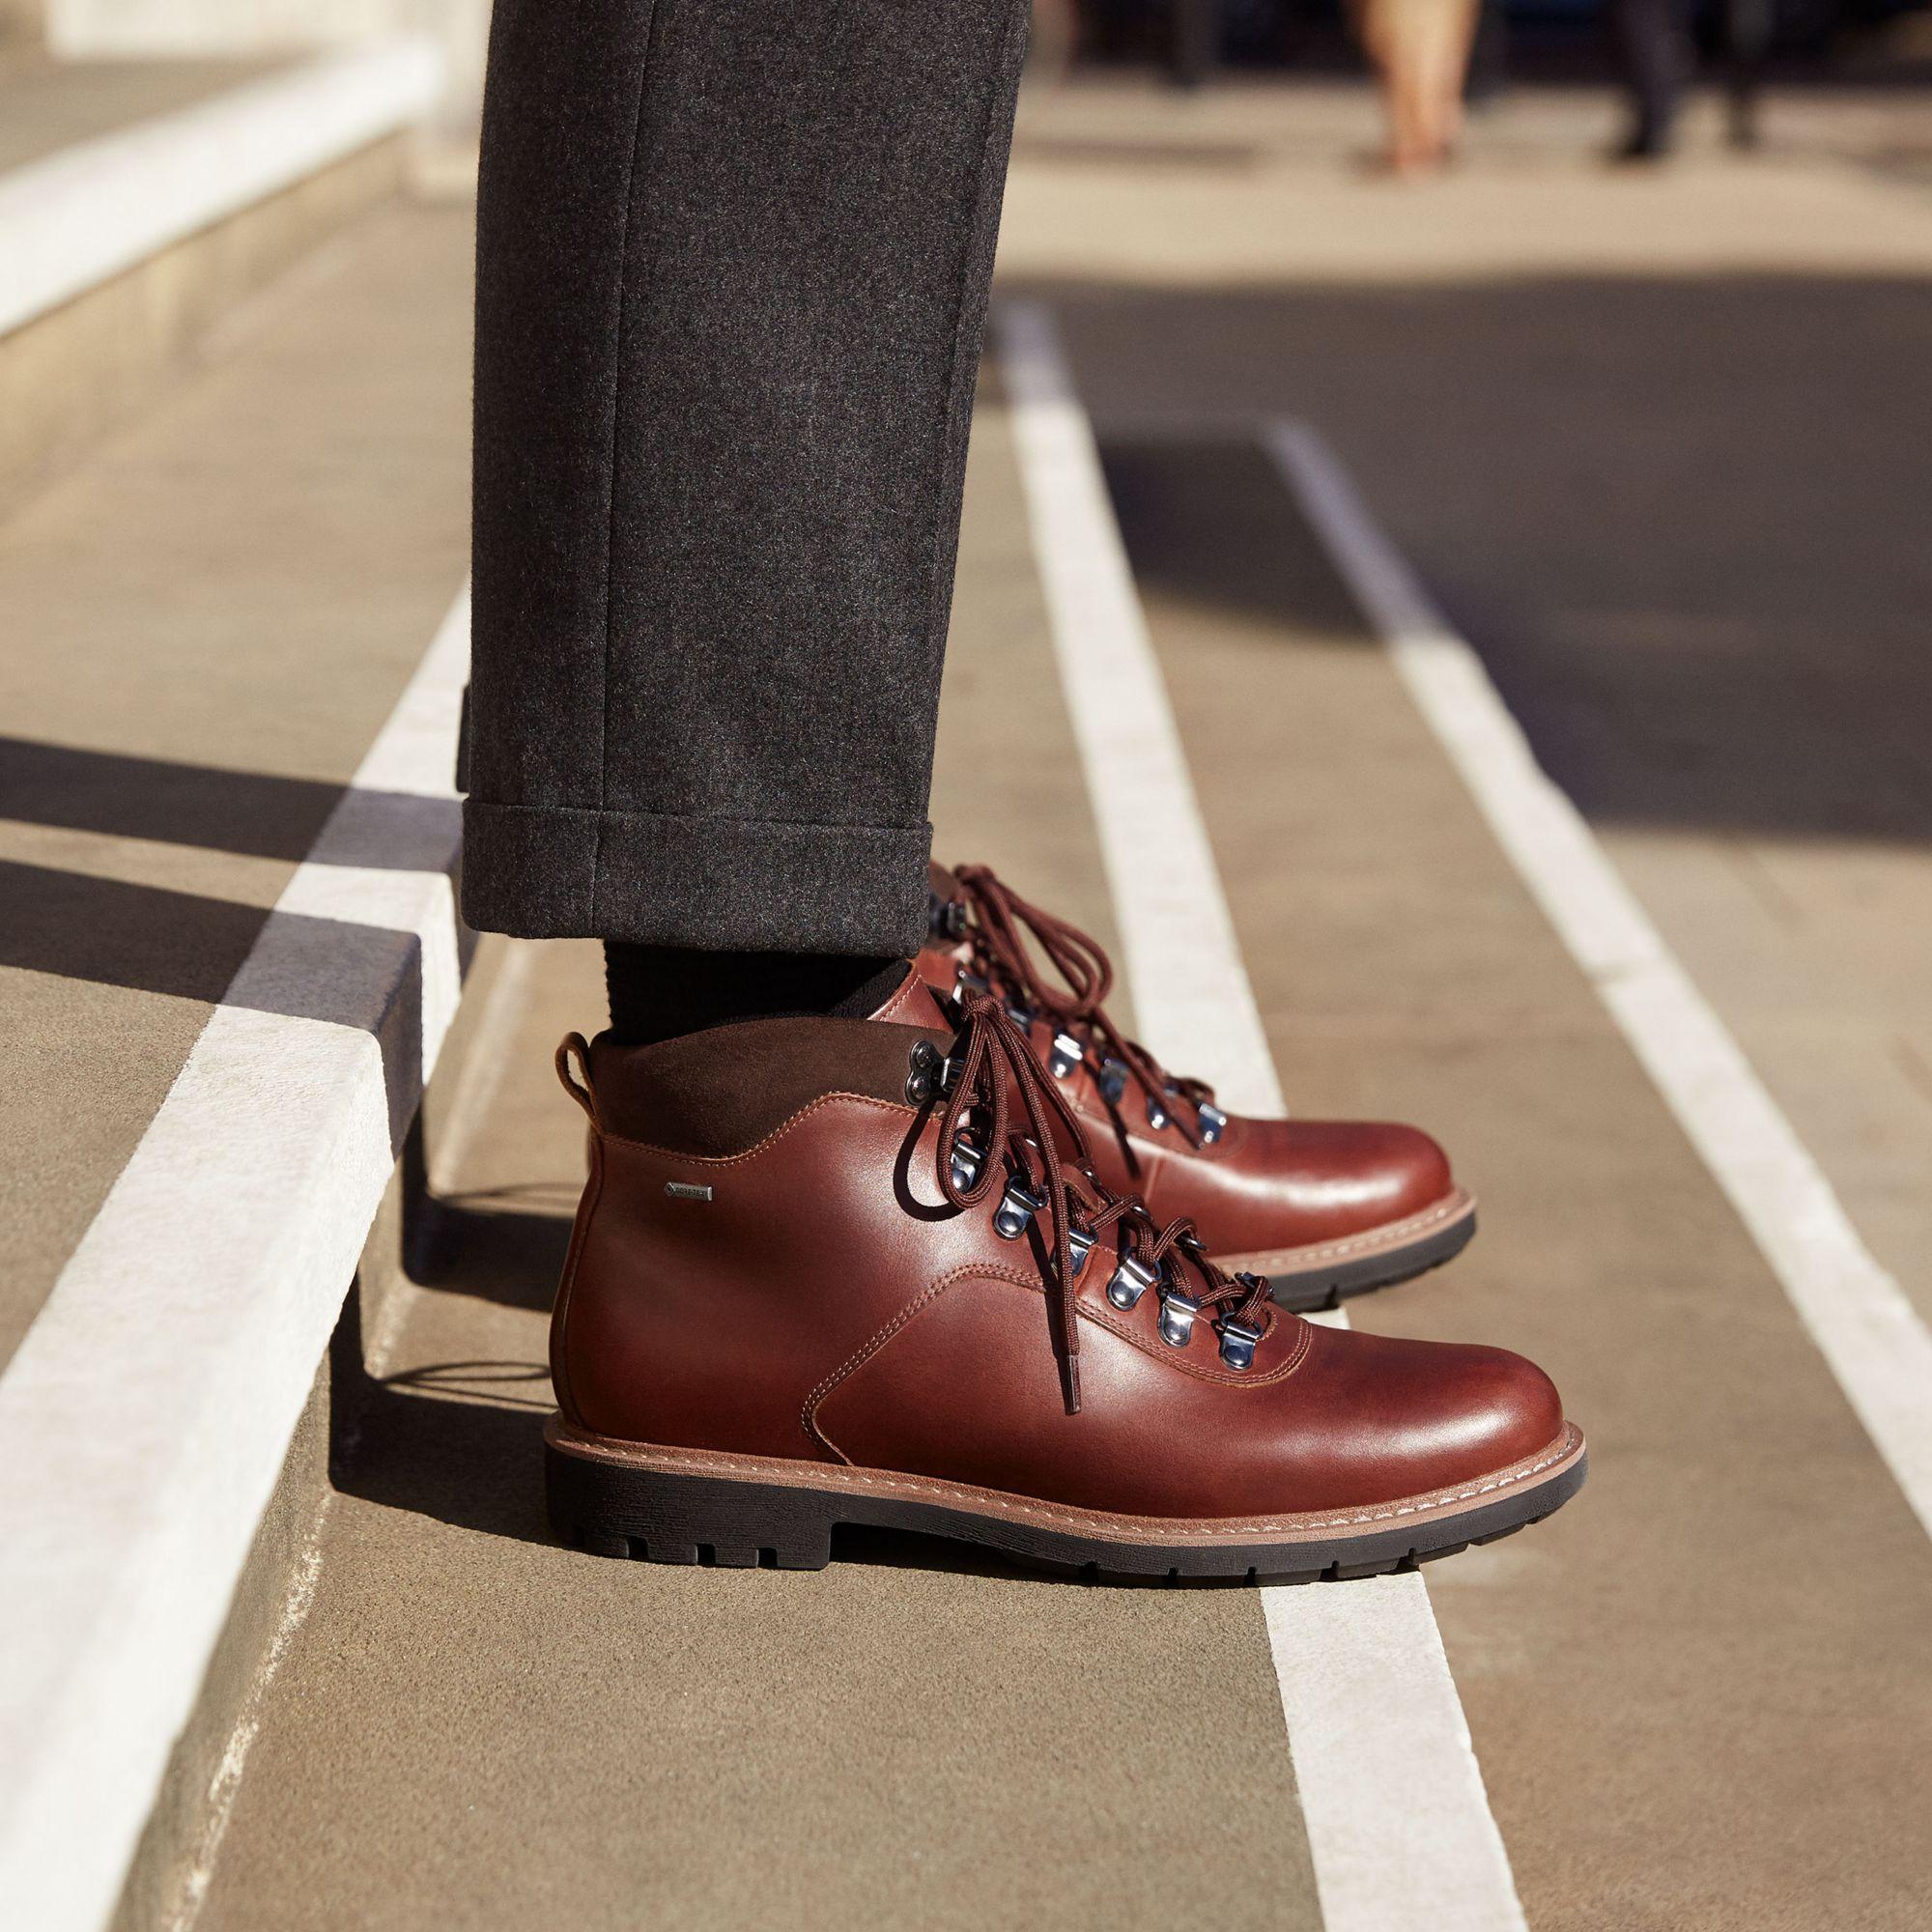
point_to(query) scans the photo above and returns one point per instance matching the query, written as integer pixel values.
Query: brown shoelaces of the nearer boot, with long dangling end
(990, 1052)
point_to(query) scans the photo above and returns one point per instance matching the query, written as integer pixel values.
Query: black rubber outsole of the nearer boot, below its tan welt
(656, 1516)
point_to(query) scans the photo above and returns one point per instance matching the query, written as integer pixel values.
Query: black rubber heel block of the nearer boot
(619, 1512)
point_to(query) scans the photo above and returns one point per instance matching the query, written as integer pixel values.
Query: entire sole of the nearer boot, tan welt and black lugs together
(691, 1506)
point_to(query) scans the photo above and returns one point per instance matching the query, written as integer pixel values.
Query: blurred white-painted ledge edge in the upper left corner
(92, 212)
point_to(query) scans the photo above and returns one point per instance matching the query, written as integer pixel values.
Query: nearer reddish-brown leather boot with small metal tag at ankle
(839, 1272)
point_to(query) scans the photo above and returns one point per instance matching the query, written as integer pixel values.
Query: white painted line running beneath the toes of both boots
(1398, 1821)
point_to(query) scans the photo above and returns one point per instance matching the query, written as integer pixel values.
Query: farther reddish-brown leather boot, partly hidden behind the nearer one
(1319, 1208)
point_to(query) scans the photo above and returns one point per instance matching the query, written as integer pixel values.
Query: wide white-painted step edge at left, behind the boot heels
(146, 1415)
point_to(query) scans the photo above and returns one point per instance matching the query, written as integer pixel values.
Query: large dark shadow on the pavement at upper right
(1680, 517)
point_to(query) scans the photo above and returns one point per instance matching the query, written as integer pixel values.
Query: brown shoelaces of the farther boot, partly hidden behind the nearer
(1000, 923)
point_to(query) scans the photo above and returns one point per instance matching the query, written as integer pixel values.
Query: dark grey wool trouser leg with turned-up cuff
(733, 264)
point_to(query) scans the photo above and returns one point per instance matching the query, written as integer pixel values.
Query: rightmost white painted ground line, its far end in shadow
(1869, 1334)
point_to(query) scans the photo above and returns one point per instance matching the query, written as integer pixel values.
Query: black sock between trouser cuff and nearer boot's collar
(662, 992)
